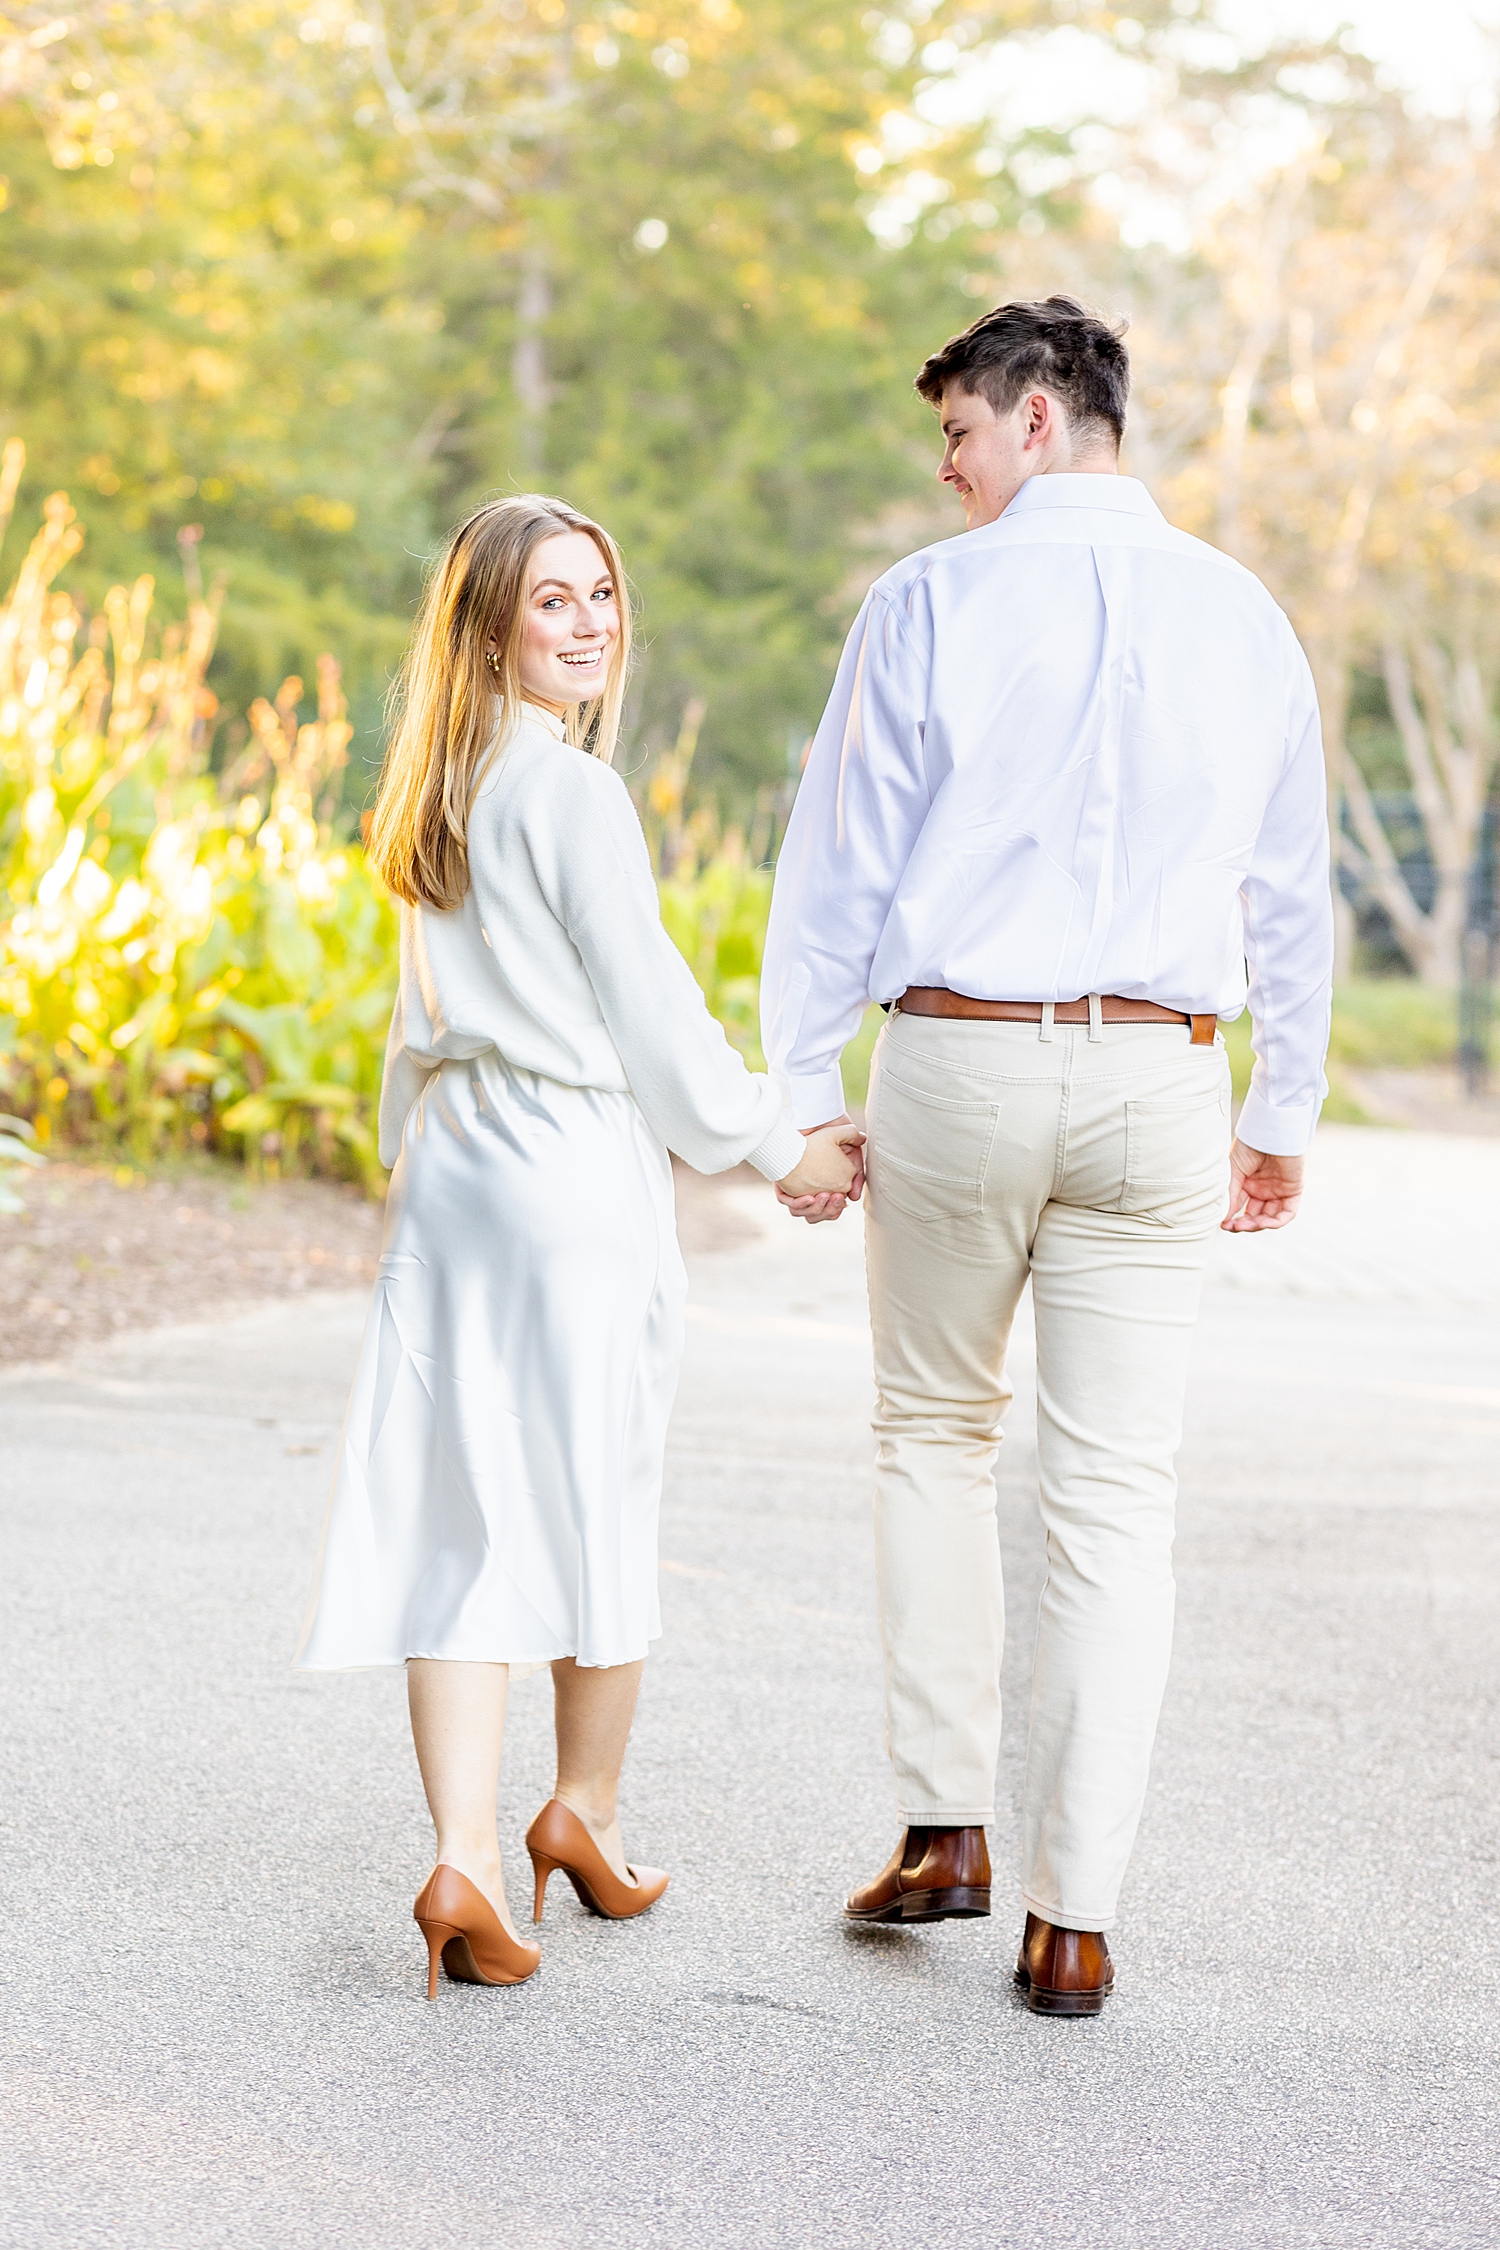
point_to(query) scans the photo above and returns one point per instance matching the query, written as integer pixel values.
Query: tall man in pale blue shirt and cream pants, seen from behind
(1069, 786)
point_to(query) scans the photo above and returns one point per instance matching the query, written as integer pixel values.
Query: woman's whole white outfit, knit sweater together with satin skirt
(500, 1470)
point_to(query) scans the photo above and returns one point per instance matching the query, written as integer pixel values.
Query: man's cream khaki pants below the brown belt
(1099, 1164)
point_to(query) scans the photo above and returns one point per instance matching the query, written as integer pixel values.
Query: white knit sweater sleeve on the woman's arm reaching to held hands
(692, 1086)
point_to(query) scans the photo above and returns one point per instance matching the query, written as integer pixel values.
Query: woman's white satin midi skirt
(500, 1470)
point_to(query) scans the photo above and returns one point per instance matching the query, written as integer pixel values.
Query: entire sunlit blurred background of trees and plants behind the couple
(287, 289)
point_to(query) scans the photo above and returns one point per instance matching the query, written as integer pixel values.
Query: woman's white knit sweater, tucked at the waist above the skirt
(559, 962)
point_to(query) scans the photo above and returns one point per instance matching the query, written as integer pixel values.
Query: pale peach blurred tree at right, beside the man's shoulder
(1335, 368)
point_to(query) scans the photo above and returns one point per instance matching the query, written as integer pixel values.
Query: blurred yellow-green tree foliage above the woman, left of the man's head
(318, 278)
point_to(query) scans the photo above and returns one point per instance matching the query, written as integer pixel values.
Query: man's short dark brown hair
(1058, 348)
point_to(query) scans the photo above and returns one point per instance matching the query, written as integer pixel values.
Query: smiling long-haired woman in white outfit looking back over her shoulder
(496, 1502)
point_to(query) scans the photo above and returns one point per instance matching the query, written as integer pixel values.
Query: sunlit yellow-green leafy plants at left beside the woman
(186, 960)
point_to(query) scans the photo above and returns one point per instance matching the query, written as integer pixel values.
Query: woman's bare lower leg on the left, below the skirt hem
(460, 1727)
